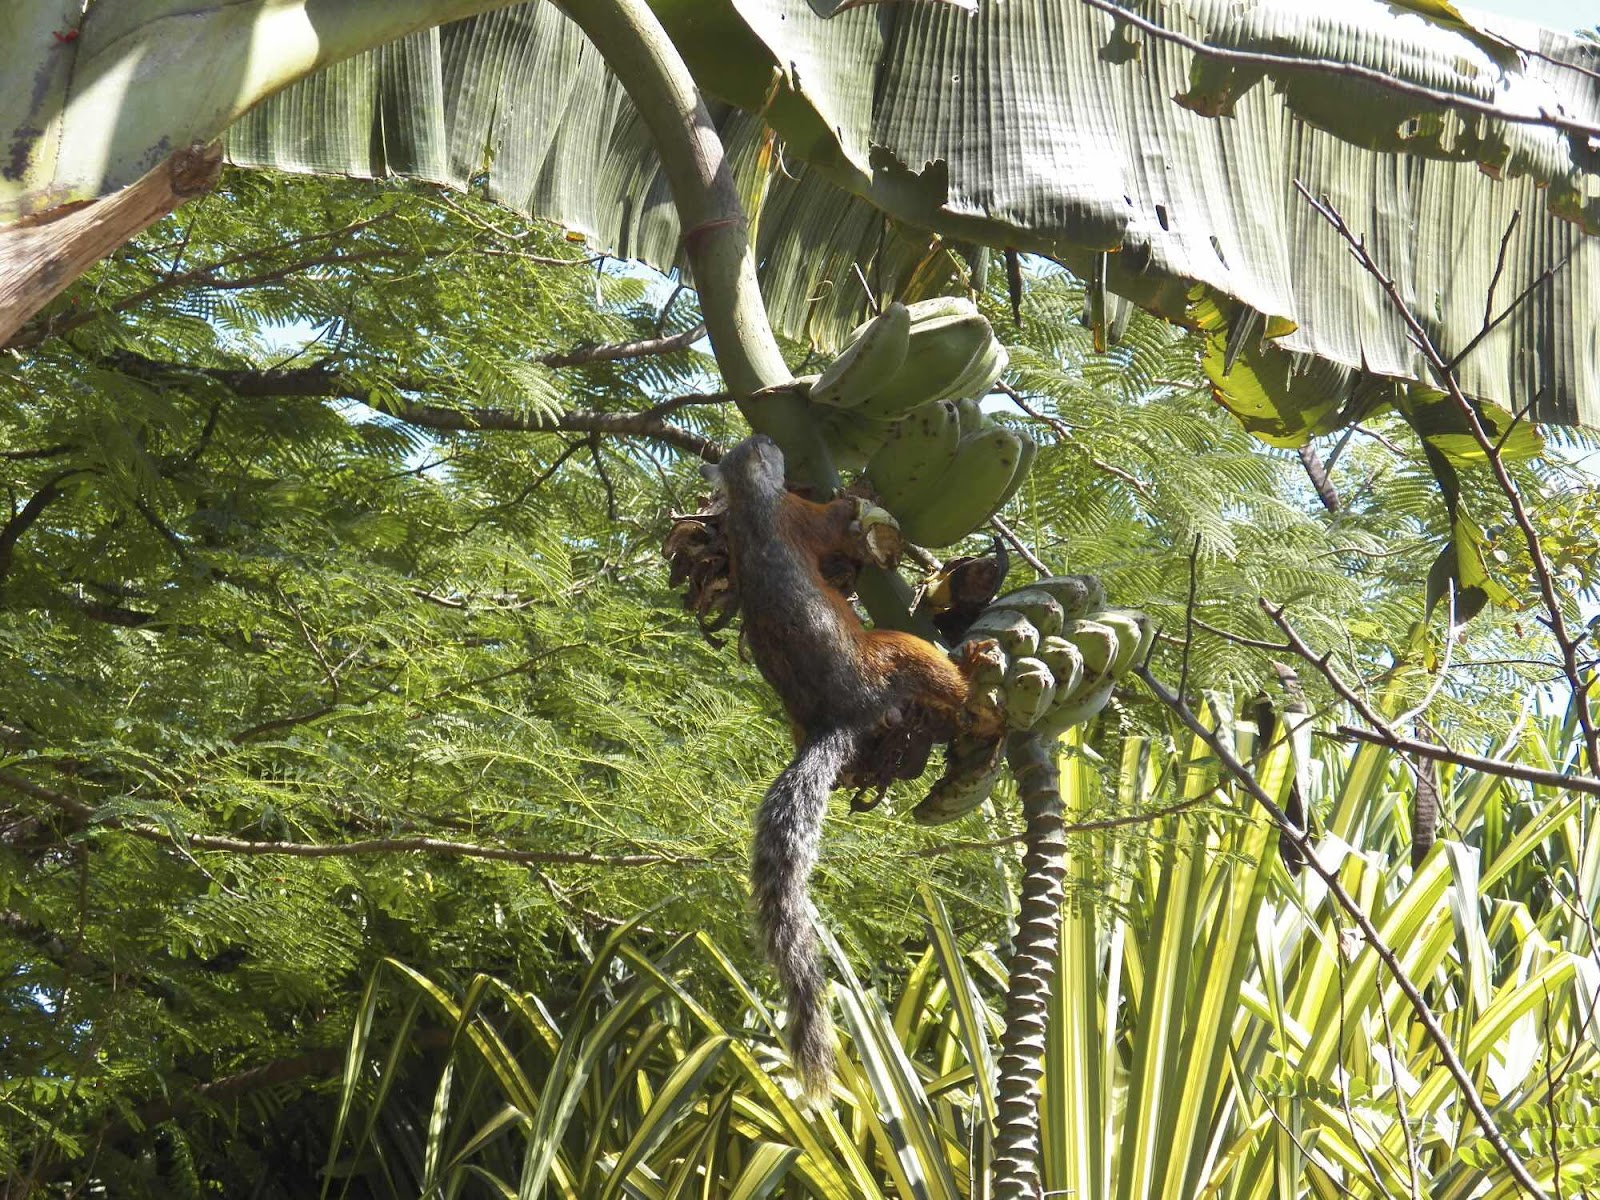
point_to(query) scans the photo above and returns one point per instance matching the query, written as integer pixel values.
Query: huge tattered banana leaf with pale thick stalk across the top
(1044, 126)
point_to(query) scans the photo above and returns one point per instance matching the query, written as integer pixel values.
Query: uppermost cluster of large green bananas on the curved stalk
(905, 358)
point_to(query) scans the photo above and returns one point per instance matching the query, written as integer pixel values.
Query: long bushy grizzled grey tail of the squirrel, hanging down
(788, 831)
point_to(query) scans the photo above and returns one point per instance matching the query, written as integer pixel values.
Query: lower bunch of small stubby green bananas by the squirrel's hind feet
(1062, 654)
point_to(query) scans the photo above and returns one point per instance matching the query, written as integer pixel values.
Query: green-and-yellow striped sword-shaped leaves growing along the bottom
(1217, 1030)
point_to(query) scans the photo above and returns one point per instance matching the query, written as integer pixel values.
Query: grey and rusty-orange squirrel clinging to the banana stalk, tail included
(842, 686)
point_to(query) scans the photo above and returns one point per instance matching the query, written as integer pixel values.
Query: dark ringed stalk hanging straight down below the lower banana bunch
(1033, 969)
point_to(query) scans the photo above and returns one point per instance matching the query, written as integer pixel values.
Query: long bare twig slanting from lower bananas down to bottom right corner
(1330, 878)
